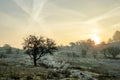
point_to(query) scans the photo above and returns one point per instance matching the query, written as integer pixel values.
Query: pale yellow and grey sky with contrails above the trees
(64, 21)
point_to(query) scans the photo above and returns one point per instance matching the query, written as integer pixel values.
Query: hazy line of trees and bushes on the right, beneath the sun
(110, 49)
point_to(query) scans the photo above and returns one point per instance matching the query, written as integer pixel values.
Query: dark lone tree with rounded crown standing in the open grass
(36, 47)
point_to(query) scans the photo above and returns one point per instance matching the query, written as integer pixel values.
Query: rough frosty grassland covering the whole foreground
(94, 69)
